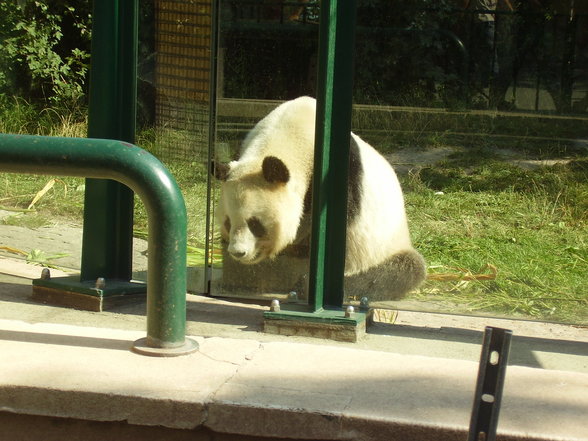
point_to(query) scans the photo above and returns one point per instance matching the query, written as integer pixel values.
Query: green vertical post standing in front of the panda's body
(331, 161)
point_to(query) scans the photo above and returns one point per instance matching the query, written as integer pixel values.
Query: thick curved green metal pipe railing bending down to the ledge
(146, 176)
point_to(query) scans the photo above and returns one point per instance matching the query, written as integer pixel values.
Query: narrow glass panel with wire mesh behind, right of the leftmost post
(173, 110)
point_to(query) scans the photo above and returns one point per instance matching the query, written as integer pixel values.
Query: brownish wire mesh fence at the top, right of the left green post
(182, 77)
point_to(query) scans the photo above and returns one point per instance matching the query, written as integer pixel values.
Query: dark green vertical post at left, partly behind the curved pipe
(108, 205)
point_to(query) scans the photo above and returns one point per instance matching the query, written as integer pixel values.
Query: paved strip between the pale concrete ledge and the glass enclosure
(536, 344)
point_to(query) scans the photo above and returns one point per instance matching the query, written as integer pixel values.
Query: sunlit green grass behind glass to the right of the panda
(531, 225)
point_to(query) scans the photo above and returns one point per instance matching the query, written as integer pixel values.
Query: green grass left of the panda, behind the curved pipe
(64, 201)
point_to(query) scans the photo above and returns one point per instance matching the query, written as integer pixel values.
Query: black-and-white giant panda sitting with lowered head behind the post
(265, 199)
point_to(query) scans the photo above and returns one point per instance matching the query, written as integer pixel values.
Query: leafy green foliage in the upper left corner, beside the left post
(44, 49)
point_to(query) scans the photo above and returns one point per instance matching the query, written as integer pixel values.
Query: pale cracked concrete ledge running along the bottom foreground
(273, 389)
